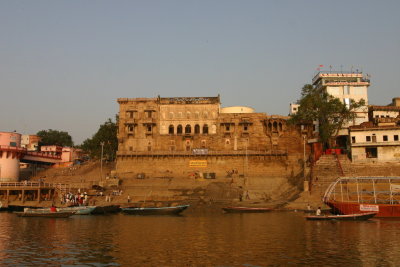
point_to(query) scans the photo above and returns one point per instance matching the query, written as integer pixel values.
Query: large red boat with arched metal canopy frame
(353, 195)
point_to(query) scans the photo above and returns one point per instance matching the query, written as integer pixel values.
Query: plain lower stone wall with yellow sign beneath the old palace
(201, 166)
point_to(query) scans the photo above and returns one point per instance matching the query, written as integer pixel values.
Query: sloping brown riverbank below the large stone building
(275, 192)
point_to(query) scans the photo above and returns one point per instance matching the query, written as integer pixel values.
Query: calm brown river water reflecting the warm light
(217, 239)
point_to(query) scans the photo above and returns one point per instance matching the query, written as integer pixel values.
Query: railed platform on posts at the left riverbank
(30, 191)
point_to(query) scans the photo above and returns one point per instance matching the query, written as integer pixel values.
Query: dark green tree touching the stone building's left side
(106, 135)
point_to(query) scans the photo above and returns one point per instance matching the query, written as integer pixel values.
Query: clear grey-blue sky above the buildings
(63, 64)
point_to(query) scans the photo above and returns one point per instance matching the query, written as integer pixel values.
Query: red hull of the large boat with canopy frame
(382, 210)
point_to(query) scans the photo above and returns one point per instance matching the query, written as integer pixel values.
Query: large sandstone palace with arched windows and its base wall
(184, 136)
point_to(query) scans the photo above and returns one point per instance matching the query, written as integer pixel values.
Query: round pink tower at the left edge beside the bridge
(10, 154)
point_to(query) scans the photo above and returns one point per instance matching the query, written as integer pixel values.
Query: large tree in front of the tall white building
(329, 111)
